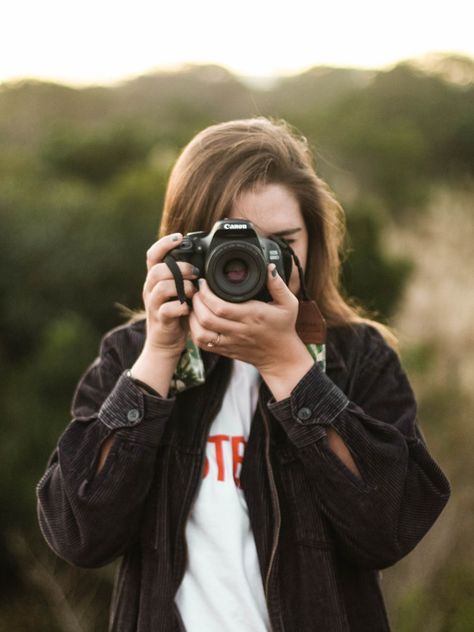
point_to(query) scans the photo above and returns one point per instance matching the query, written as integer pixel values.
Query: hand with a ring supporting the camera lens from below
(262, 334)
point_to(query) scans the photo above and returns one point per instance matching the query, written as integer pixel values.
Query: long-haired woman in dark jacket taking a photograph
(262, 490)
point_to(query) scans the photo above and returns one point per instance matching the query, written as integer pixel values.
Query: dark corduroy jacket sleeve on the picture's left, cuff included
(89, 519)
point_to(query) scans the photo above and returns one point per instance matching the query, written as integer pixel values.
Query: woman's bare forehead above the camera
(271, 207)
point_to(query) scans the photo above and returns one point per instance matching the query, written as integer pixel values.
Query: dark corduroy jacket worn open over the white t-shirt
(321, 532)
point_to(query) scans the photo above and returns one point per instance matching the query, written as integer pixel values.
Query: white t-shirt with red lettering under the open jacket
(222, 588)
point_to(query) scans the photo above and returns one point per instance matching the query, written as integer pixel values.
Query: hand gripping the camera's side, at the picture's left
(167, 323)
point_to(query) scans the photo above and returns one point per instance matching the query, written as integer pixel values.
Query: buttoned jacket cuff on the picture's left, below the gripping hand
(129, 407)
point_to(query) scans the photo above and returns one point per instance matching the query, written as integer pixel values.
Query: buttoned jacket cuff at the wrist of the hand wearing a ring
(313, 405)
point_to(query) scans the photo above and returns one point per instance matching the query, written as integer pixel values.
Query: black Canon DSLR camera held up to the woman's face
(233, 259)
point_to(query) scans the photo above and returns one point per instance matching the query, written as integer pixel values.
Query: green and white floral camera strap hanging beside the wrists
(190, 370)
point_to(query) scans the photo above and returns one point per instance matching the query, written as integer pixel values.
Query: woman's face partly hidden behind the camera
(274, 210)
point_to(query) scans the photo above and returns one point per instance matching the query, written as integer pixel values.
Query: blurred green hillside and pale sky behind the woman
(95, 105)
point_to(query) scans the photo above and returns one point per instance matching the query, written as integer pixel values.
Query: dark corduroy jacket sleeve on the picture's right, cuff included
(380, 518)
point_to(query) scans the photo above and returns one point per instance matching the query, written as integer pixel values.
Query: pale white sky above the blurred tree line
(104, 41)
